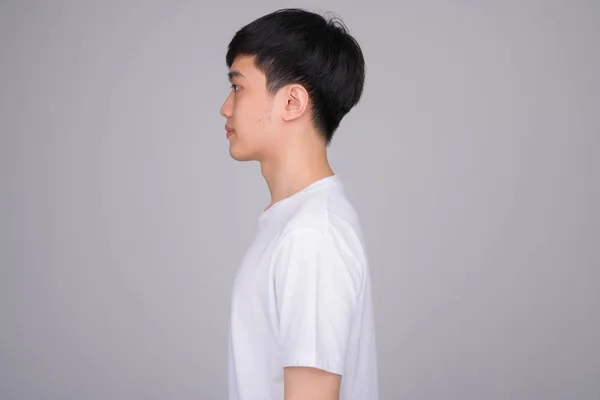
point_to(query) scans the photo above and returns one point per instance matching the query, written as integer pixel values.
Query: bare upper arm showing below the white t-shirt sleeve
(306, 383)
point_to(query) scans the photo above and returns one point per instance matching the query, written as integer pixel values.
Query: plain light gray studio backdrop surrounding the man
(472, 159)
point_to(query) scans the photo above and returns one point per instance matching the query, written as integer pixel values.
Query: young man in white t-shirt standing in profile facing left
(301, 312)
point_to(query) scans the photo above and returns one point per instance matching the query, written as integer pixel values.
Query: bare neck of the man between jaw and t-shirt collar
(296, 166)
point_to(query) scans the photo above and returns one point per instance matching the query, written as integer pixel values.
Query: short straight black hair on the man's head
(293, 45)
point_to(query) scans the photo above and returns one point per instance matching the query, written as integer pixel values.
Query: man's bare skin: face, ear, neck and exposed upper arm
(277, 131)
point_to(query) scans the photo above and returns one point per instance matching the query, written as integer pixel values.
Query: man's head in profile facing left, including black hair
(292, 72)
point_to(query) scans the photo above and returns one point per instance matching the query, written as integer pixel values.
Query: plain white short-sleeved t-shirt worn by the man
(302, 297)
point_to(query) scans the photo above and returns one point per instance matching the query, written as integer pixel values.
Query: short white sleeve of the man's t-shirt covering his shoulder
(317, 284)
